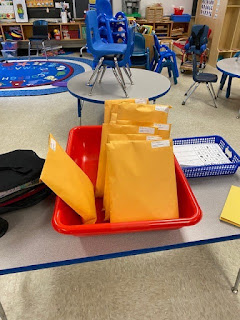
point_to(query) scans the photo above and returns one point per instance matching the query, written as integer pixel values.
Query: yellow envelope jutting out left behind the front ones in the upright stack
(114, 128)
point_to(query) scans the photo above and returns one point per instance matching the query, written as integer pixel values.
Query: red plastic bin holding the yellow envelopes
(84, 147)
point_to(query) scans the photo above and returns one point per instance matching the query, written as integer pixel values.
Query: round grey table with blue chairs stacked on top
(147, 84)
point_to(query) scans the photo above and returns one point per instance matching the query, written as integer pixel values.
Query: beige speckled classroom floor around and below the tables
(183, 284)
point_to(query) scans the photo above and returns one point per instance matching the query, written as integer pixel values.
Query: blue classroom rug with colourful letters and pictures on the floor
(22, 77)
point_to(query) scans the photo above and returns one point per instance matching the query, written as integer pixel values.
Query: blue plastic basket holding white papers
(211, 170)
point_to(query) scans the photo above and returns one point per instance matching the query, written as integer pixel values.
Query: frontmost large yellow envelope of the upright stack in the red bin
(142, 185)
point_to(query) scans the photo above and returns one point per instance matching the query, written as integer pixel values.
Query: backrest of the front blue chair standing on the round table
(92, 30)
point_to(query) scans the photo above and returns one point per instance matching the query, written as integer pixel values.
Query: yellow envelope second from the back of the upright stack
(143, 112)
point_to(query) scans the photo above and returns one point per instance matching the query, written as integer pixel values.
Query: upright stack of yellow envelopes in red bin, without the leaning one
(136, 172)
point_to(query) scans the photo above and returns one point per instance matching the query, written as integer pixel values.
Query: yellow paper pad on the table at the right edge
(231, 210)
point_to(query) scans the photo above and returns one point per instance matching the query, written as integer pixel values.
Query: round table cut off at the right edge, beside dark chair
(229, 67)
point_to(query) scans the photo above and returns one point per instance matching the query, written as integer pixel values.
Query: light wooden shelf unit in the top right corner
(225, 36)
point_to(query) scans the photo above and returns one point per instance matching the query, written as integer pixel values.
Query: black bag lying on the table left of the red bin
(16, 169)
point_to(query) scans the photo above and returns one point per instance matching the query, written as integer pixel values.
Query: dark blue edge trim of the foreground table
(116, 255)
